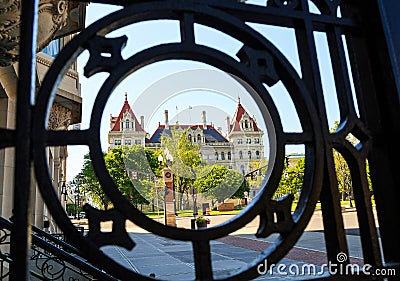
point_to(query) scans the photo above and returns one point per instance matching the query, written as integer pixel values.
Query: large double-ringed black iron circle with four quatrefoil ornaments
(259, 62)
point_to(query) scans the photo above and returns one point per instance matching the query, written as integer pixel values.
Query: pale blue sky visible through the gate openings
(218, 100)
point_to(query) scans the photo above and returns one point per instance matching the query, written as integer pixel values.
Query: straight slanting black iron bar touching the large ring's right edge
(332, 218)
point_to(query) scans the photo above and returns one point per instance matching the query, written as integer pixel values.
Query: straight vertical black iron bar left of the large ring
(20, 242)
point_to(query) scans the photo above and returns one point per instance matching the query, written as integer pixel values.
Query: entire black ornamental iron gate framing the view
(375, 71)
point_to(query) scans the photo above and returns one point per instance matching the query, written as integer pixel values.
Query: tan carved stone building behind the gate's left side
(58, 20)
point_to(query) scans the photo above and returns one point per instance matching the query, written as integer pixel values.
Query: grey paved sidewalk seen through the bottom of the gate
(169, 259)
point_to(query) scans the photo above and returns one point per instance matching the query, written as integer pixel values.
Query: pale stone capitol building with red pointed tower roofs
(236, 149)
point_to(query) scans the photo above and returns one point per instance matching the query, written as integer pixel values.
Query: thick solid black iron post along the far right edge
(378, 99)
